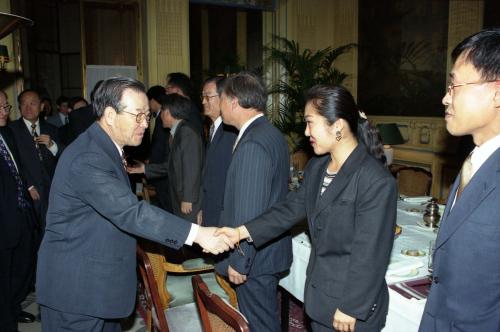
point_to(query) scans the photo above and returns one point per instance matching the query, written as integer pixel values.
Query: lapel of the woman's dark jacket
(343, 177)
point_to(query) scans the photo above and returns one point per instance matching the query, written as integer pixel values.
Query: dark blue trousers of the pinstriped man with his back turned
(257, 300)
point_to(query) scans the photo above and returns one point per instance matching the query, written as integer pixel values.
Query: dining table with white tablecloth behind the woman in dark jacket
(407, 274)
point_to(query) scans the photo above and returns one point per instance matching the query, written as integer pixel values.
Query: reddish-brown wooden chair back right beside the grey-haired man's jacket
(148, 299)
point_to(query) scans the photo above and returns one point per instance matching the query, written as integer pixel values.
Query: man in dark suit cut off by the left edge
(17, 230)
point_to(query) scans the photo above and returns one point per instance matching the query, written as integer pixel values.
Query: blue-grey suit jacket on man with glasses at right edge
(465, 294)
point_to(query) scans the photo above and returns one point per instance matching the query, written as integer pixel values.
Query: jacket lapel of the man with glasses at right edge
(480, 186)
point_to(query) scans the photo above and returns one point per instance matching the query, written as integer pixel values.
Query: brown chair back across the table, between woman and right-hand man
(414, 181)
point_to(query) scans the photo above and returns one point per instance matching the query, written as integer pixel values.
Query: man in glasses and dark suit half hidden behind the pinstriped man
(221, 139)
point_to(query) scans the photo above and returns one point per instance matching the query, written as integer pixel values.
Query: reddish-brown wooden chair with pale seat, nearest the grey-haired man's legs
(150, 308)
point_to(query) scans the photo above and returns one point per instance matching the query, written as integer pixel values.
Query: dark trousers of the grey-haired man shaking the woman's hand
(54, 320)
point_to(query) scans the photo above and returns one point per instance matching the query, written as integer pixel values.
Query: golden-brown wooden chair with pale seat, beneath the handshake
(179, 277)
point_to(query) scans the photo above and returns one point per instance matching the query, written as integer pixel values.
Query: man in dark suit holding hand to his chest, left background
(39, 149)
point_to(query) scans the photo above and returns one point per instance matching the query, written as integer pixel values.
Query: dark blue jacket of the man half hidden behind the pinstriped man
(219, 155)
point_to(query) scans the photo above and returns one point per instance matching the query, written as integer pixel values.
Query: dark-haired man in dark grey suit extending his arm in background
(185, 158)
